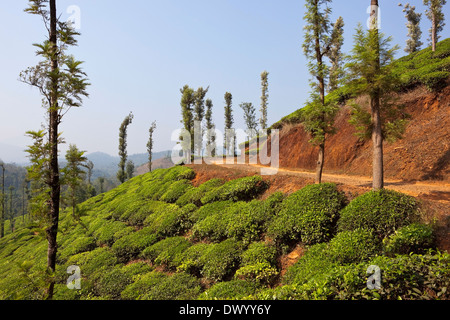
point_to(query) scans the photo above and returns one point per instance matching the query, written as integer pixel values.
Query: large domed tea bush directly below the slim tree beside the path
(309, 215)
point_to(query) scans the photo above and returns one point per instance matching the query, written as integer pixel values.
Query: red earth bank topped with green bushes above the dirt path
(423, 154)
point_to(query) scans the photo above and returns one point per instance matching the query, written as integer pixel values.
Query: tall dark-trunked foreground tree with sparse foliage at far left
(62, 84)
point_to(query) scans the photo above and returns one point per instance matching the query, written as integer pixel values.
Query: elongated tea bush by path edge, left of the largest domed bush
(243, 189)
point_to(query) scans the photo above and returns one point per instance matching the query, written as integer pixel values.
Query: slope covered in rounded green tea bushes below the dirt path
(157, 237)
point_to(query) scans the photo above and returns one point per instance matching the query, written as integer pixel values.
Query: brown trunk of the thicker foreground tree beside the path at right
(377, 134)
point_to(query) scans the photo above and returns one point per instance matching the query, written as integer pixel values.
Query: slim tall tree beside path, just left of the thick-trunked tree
(320, 36)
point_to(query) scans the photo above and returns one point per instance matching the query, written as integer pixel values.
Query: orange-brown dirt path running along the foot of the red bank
(422, 189)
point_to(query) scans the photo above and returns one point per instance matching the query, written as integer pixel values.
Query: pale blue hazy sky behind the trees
(139, 54)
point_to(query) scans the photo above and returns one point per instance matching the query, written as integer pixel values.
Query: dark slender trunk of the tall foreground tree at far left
(54, 182)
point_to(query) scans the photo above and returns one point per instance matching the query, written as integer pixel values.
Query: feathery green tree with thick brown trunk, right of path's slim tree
(370, 73)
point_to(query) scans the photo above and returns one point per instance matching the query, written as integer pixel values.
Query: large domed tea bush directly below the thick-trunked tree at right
(382, 212)
